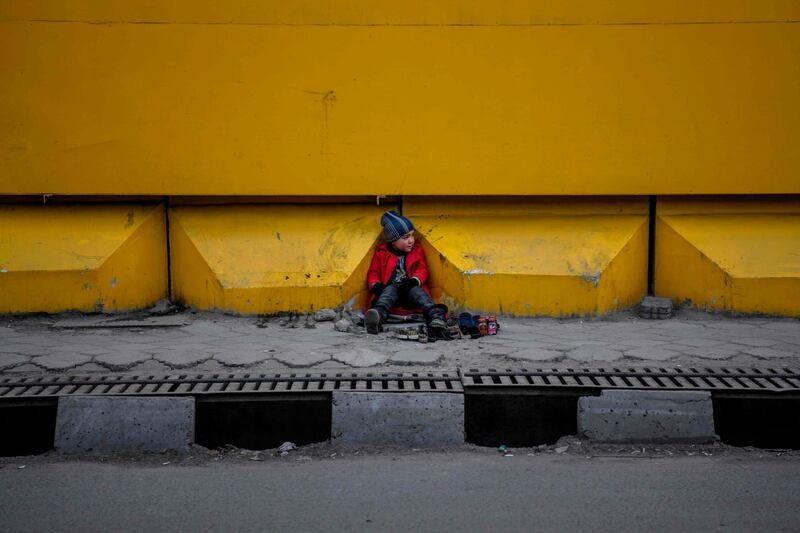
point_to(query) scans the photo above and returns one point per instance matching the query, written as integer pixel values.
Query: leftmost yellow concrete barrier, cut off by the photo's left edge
(82, 257)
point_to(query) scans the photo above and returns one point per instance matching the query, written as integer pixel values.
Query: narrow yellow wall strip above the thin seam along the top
(378, 12)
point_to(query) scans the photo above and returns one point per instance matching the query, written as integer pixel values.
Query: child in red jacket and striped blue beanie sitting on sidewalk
(398, 276)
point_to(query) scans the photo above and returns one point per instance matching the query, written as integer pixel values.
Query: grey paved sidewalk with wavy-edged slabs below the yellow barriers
(206, 342)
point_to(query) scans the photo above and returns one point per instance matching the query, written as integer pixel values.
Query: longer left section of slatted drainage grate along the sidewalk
(200, 384)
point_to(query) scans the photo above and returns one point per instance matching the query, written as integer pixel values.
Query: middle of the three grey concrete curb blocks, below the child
(415, 418)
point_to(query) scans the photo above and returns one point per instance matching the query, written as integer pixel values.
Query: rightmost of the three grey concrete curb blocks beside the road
(631, 416)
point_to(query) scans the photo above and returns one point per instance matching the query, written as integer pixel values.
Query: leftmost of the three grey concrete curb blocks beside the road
(124, 424)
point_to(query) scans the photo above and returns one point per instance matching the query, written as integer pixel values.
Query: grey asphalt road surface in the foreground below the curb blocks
(453, 491)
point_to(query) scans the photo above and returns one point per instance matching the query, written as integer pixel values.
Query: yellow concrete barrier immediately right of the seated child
(534, 256)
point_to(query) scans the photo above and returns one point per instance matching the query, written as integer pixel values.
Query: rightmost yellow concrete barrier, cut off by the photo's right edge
(735, 255)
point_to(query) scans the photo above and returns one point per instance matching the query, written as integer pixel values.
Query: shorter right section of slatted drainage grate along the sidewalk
(739, 380)
